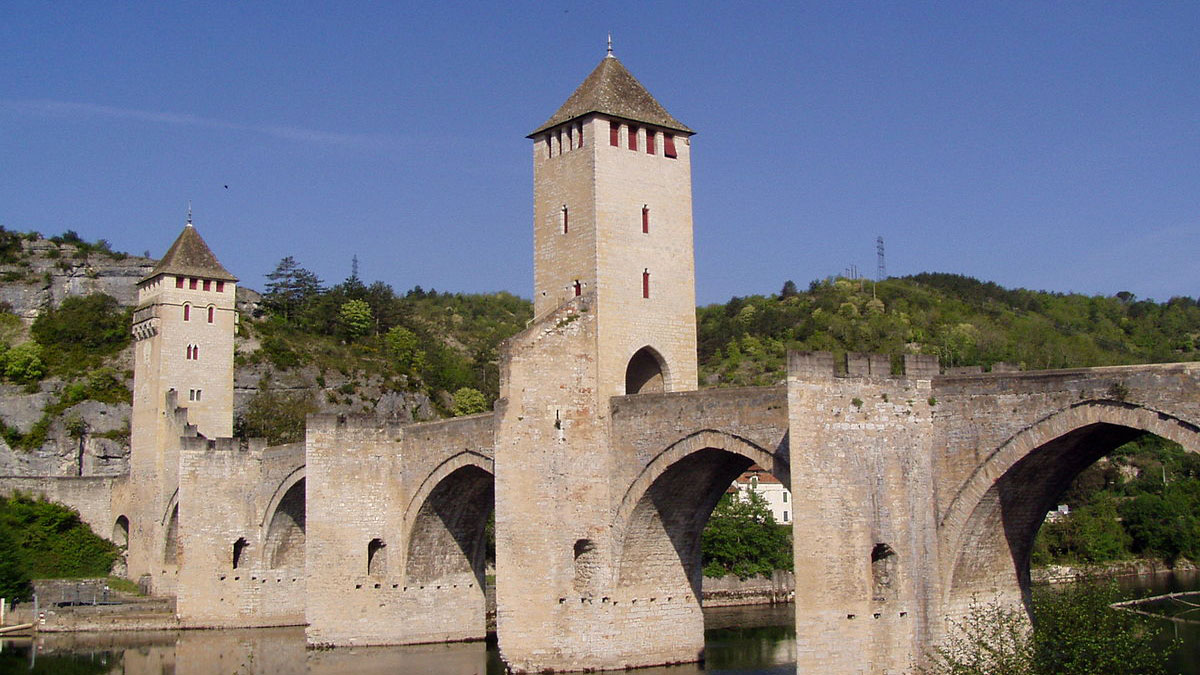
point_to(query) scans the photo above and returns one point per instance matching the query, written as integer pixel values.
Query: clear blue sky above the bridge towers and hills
(1052, 146)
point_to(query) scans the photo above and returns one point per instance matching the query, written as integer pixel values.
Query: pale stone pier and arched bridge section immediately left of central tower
(375, 481)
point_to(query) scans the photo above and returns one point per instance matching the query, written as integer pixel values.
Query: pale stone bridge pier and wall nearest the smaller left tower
(226, 575)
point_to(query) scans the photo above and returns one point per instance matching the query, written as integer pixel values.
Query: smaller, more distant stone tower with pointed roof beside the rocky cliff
(184, 331)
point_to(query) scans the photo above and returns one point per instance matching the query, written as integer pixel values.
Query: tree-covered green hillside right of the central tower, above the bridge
(958, 319)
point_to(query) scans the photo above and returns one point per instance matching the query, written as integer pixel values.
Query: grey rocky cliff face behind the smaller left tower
(92, 438)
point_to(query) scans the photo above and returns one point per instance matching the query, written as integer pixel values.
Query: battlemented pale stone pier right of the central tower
(862, 485)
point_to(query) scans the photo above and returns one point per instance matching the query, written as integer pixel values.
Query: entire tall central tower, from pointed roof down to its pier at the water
(615, 314)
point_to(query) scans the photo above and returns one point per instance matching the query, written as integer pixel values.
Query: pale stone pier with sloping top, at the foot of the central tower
(553, 504)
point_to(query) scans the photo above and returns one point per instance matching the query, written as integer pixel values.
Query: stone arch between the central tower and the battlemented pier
(667, 507)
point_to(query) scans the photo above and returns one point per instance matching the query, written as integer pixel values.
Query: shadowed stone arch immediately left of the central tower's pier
(447, 519)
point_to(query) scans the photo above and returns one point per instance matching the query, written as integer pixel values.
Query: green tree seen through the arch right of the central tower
(743, 539)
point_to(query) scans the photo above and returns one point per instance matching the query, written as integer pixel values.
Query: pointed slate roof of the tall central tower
(614, 91)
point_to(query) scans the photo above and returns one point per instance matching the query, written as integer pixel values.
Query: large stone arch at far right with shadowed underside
(987, 533)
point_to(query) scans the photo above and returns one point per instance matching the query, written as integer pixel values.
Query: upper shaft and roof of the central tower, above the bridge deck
(613, 216)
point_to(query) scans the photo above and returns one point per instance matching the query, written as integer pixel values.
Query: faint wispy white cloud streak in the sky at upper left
(71, 110)
